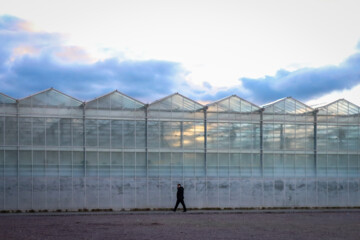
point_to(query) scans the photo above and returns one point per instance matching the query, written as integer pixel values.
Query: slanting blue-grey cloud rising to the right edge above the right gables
(303, 84)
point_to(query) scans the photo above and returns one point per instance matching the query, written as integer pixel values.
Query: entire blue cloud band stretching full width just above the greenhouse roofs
(31, 61)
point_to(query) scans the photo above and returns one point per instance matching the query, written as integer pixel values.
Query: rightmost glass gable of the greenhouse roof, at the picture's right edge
(340, 107)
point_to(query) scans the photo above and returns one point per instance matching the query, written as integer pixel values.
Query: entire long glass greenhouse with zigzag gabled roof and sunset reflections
(115, 152)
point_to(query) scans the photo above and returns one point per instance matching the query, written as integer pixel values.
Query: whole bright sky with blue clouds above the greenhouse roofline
(260, 50)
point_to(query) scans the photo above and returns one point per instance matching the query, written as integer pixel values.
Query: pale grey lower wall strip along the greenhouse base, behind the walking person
(67, 193)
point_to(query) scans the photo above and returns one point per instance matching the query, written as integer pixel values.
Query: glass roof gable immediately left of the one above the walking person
(114, 100)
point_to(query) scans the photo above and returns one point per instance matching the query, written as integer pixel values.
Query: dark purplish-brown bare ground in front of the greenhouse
(191, 225)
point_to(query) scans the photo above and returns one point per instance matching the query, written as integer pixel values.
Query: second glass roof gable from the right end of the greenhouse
(287, 105)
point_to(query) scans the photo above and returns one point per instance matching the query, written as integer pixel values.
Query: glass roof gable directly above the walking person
(175, 102)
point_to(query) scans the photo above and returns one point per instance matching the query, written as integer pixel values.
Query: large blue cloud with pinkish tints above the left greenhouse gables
(32, 61)
